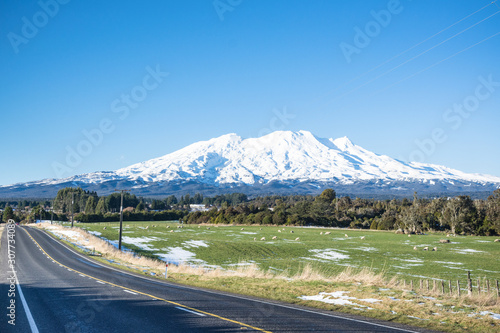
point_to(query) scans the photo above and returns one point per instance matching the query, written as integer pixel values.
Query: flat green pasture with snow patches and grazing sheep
(228, 246)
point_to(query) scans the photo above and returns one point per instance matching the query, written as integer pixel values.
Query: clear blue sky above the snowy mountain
(118, 83)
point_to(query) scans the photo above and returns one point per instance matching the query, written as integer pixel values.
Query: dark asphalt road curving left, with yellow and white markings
(59, 290)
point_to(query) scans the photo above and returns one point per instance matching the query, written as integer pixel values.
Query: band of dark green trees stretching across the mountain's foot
(459, 214)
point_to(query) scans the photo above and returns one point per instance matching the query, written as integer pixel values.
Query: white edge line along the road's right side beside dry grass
(239, 297)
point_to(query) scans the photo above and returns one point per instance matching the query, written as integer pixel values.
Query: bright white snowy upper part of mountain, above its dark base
(286, 156)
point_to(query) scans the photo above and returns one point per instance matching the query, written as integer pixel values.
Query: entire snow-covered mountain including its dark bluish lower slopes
(282, 161)
